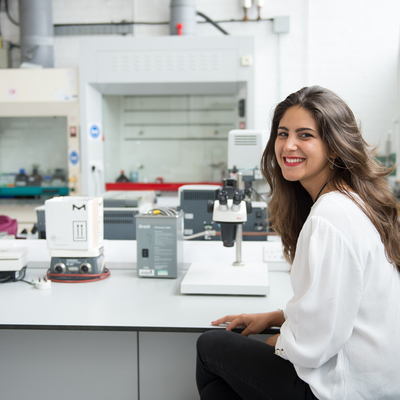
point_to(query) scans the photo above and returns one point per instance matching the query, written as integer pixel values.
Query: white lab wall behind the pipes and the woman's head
(349, 46)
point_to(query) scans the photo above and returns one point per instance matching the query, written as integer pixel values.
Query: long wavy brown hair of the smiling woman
(355, 168)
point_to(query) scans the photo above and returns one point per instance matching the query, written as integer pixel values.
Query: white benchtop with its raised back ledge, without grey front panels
(124, 301)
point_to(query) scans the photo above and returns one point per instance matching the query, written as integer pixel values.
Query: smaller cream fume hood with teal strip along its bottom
(39, 131)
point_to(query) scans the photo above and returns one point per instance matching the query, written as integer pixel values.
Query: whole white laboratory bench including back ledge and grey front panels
(124, 337)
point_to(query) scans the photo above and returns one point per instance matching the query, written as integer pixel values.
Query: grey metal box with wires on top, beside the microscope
(159, 243)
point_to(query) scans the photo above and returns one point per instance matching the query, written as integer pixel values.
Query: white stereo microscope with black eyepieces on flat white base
(230, 210)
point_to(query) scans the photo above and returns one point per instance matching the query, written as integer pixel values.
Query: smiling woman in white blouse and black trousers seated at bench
(340, 332)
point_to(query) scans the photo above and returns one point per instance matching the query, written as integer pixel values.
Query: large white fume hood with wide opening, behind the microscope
(161, 108)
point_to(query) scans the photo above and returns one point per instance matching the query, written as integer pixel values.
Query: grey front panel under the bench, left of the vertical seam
(66, 365)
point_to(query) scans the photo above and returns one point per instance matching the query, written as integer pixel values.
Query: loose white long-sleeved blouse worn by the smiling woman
(342, 328)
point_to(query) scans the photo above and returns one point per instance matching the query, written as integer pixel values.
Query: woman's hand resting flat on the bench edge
(254, 323)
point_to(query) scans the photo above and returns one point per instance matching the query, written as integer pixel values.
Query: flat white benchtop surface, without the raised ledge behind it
(126, 302)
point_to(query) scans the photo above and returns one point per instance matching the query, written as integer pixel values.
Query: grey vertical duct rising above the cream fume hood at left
(36, 30)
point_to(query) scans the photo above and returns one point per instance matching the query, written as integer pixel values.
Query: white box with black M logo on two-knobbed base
(74, 227)
